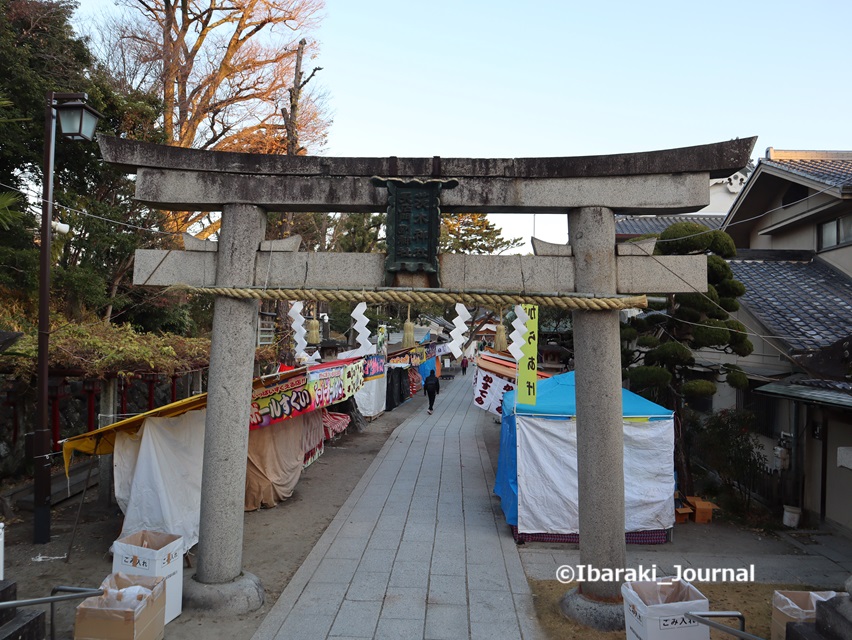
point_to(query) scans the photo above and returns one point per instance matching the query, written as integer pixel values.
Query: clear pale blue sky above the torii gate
(489, 78)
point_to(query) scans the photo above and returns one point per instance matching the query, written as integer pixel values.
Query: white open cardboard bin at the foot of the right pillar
(655, 611)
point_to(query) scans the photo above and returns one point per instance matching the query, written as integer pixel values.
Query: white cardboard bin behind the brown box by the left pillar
(151, 553)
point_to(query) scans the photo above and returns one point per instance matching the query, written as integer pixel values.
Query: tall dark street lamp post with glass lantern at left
(78, 122)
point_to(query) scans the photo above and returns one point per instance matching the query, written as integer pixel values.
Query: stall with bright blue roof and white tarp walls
(537, 466)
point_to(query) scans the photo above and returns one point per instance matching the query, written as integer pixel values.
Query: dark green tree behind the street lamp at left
(40, 52)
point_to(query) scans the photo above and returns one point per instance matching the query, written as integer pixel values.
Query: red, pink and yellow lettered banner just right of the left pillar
(305, 392)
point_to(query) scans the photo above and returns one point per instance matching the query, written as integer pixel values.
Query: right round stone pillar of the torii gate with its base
(600, 434)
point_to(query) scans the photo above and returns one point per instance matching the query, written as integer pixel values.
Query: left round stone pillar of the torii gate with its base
(220, 584)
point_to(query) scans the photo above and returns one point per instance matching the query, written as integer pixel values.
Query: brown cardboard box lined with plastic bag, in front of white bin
(121, 614)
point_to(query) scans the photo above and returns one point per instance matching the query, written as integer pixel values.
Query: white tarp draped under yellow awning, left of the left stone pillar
(158, 476)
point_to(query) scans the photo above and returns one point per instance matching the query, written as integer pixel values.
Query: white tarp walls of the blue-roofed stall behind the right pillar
(547, 475)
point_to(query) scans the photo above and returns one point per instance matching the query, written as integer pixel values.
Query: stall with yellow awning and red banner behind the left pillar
(160, 450)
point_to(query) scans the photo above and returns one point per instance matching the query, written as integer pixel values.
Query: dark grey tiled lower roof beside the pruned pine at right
(807, 305)
